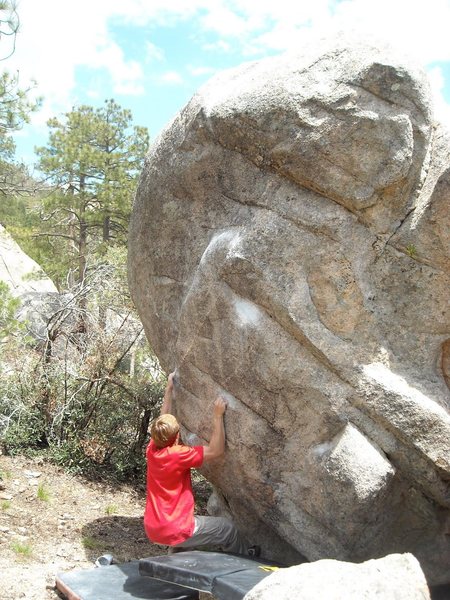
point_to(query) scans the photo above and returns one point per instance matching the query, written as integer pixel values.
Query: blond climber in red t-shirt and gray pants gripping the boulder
(169, 512)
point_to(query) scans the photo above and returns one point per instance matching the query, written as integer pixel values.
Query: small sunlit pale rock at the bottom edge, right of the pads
(395, 577)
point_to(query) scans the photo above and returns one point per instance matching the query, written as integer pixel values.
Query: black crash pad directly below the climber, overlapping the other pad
(226, 576)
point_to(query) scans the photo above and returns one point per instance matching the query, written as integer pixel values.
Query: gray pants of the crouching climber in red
(214, 531)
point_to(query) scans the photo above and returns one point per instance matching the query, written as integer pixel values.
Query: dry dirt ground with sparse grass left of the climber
(52, 522)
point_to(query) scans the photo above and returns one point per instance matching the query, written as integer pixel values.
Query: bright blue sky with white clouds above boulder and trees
(152, 55)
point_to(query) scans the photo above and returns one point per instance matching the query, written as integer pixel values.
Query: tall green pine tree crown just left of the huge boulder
(92, 159)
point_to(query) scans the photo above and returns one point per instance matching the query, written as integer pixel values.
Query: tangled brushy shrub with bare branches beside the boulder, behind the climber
(86, 398)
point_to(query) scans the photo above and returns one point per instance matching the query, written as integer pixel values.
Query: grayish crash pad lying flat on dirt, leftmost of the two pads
(118, 582)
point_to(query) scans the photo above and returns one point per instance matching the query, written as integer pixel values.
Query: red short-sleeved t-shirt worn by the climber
(169, 509)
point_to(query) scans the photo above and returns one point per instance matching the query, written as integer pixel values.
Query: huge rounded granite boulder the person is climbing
(290, 249)
